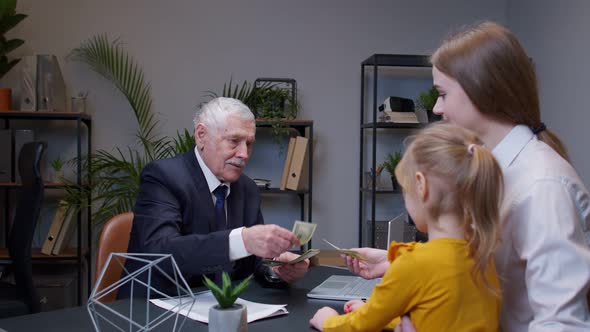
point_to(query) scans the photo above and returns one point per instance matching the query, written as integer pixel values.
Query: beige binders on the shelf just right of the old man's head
(295, 170)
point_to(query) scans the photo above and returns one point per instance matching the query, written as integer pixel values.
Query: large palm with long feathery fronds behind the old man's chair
(115, 176)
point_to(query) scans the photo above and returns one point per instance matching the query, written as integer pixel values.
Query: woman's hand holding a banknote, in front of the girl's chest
(375, 267)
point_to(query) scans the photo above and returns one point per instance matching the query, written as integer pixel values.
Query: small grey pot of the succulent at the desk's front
(232, 319)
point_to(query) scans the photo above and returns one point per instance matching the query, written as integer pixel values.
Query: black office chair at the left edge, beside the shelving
(21, 297)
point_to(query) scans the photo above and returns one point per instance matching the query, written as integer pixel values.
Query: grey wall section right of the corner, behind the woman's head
(556, 37)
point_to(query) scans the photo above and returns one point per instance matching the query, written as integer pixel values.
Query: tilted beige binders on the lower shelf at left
(59, 232)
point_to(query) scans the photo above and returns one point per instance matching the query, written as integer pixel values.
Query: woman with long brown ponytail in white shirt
(487, 83)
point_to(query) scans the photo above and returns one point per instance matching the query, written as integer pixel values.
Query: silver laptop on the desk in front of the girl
(344, 288)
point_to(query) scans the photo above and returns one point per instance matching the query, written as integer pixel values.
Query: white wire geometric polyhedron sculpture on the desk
(138, 315)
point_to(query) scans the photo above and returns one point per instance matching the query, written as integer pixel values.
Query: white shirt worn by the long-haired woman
(544, 258)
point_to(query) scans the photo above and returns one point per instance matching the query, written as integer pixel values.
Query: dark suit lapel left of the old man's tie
(203, 199)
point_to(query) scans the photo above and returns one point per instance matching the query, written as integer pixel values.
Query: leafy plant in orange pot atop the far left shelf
(8, 20)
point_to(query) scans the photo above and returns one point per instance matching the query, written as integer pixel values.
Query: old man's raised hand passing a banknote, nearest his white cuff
(268, 240)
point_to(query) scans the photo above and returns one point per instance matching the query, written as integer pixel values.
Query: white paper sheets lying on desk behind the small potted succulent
(204, 301)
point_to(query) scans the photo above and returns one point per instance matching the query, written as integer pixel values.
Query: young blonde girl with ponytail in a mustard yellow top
(452, 188)
